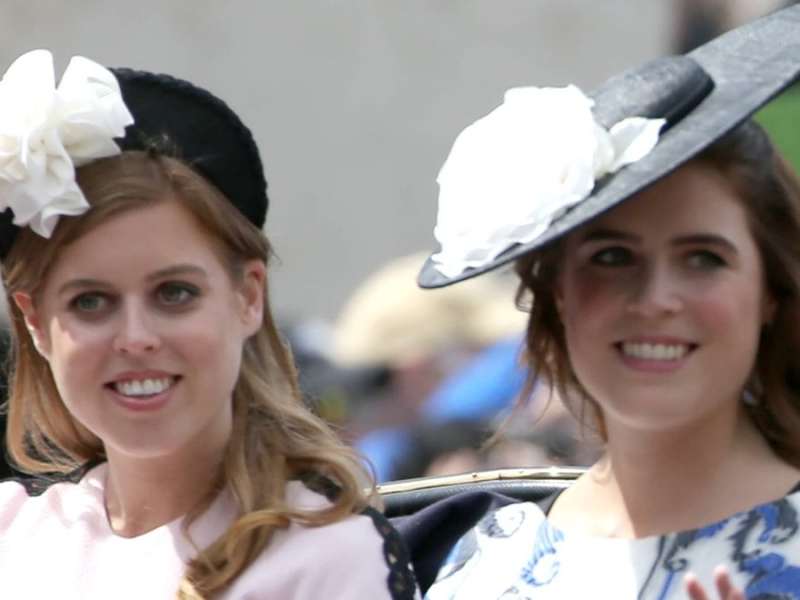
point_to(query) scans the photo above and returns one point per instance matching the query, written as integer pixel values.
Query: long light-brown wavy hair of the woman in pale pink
(274, 437)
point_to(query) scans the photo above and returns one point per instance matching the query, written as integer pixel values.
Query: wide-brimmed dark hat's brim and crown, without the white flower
(702, 96)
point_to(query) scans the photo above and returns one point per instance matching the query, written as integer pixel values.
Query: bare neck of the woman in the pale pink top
(145, 493)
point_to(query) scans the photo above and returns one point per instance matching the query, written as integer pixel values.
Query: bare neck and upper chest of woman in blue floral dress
(651, 483)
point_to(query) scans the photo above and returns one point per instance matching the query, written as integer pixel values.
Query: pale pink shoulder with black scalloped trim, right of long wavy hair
(360, 556)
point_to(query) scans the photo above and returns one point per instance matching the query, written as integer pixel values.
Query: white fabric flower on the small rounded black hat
(47, 131)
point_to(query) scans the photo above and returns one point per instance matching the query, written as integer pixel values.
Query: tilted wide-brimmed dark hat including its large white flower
(694, 99)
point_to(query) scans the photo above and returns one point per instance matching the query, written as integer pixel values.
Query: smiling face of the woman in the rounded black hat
(143, 329)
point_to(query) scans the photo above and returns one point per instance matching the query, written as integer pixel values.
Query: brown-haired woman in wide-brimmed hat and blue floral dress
(656, 233)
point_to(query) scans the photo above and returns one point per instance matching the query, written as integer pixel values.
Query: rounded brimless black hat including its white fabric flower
(96, 112)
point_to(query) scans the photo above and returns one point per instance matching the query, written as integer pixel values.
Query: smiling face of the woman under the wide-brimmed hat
(662, 301)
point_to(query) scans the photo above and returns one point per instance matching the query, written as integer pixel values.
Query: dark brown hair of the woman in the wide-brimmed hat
(769, 190)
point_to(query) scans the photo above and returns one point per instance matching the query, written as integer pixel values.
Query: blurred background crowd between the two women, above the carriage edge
(431, 382)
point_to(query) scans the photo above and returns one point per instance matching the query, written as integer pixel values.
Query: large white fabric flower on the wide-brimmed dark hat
(512, 172)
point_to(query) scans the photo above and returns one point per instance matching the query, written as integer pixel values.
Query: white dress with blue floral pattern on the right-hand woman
(514, 553)
